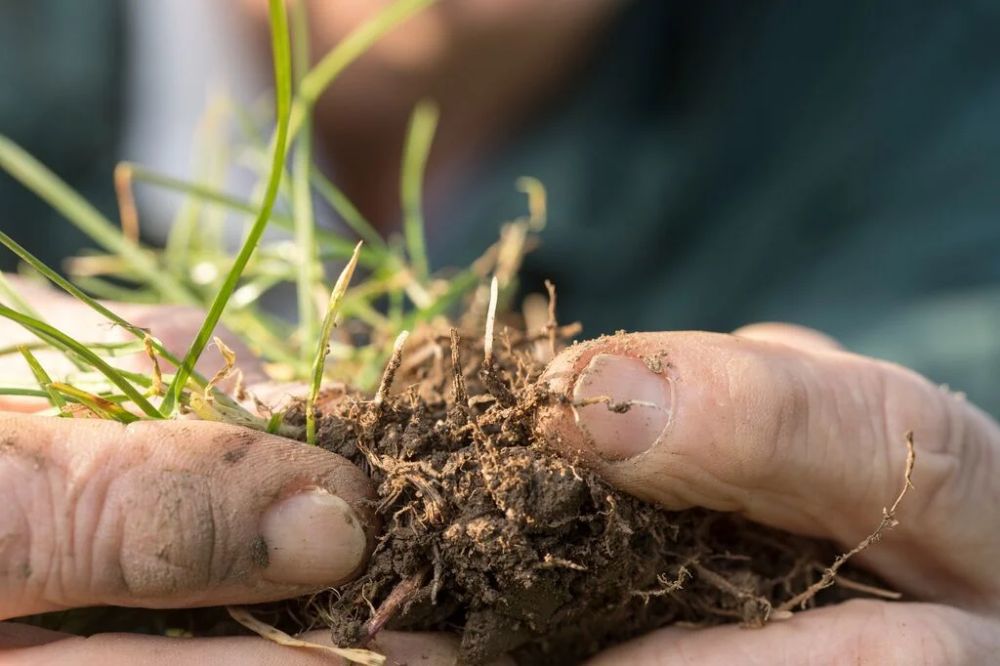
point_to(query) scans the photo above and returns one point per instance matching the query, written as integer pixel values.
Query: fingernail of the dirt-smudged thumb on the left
(313, 538)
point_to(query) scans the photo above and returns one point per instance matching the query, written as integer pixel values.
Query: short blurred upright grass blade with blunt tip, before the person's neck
(420, 135)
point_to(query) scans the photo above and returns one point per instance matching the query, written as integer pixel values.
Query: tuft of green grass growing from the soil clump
(400, 290)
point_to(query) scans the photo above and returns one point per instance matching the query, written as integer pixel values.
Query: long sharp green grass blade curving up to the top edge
(283, 91)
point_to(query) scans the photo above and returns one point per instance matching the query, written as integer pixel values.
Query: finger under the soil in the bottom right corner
(857, 632)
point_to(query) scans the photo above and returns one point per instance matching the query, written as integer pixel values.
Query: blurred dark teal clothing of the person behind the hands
(835, 165)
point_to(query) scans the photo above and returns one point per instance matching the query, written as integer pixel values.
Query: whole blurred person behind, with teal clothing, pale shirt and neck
(711, 164)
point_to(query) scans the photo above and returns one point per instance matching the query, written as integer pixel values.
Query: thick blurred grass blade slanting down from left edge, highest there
(36, 177)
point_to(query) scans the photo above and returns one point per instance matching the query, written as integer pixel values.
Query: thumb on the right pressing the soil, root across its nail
(804, 441)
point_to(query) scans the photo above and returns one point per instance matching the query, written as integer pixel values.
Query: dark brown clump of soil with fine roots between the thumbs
(490, 534)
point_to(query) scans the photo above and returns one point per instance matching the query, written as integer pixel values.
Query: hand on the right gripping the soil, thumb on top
(782, 426)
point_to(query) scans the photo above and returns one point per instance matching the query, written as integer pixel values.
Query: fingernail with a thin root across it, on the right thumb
(629, 405)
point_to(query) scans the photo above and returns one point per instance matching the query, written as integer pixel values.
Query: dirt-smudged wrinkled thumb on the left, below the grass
(168, 514)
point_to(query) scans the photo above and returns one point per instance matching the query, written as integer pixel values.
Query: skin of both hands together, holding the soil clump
(775, 422)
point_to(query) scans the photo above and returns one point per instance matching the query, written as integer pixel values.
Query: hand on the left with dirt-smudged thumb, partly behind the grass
(165, 515)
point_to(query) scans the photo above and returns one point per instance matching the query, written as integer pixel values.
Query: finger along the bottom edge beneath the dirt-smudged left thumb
(27, 648)
